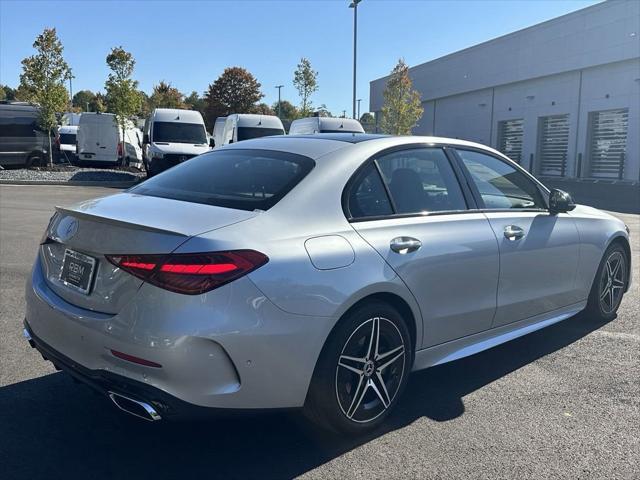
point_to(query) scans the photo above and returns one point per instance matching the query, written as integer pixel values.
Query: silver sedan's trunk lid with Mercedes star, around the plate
(122, 224)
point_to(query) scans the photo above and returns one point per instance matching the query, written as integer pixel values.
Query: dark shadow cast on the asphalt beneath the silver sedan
(51, 427)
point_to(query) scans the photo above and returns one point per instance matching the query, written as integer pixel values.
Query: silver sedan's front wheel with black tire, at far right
(609, 284)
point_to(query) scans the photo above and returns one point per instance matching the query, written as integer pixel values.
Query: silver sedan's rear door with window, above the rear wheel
(409, 205)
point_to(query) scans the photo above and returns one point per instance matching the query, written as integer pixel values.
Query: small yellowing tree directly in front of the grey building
(402, 106)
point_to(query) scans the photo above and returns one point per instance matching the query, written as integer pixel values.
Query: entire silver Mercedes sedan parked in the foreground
(315, 272)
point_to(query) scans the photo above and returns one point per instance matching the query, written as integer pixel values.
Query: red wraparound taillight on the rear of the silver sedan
(190, 273)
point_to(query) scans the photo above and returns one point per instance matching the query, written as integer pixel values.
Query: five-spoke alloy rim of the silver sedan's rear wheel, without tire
(370, 370)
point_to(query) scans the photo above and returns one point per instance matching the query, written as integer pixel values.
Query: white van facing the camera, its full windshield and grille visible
(172, 136)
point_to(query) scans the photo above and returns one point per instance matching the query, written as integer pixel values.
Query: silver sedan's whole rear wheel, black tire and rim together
(336, 387)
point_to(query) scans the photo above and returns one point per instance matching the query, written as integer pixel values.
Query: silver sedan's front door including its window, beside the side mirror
(538, 250)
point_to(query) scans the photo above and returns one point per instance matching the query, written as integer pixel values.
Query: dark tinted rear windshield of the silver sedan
(241, 179)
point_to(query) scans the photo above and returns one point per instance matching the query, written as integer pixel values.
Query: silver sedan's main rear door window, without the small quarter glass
(421, 180)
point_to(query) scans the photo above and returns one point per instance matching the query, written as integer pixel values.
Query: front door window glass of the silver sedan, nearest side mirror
(500, 184)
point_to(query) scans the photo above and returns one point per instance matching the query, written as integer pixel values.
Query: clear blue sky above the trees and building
(190, 43)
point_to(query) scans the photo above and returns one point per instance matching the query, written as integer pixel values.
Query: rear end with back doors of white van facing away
(98, 138)
